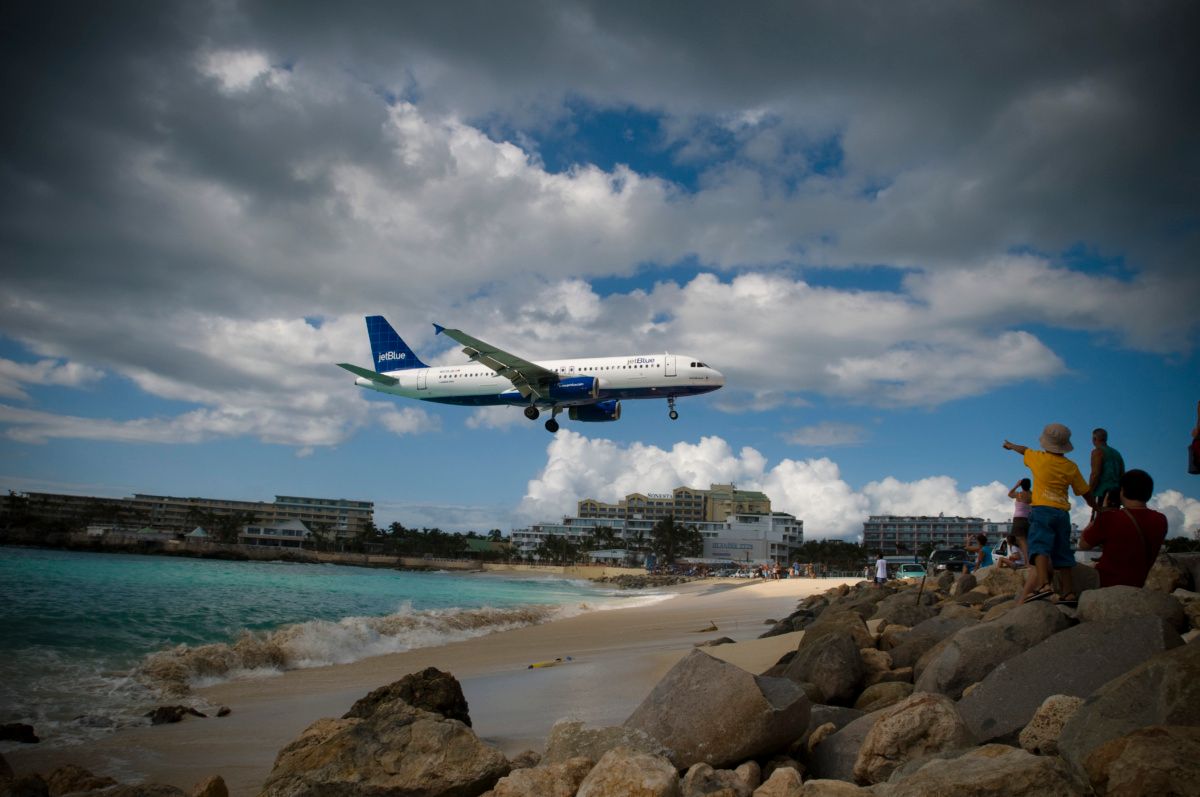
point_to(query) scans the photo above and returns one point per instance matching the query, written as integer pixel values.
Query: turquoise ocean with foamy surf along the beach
(92, 642)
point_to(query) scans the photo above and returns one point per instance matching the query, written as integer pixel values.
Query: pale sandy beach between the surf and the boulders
(617, 657)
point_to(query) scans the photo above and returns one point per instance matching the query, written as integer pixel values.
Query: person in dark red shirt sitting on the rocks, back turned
(1131, 536)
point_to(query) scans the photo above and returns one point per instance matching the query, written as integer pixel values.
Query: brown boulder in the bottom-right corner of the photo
(1148, 763)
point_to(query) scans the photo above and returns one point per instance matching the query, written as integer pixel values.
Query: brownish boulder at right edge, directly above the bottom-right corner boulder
(1162, 691)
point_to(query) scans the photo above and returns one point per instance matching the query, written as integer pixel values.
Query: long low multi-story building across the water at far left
(334, 517)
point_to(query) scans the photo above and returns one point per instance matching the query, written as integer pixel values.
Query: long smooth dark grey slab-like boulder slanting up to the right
(1076, 662)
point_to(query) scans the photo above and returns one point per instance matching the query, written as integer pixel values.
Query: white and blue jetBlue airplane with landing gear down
(589, 389)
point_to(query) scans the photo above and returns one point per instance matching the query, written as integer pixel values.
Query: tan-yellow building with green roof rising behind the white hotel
(686, 505)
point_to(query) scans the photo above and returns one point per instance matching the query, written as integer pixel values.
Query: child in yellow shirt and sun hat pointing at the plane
(1049, 538)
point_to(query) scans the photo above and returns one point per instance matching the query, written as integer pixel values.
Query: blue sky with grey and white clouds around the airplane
(904, 233)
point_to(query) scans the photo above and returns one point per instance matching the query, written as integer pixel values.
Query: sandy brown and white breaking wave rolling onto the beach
(317, 643)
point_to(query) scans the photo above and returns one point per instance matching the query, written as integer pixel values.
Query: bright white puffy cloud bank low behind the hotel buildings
(814, 490)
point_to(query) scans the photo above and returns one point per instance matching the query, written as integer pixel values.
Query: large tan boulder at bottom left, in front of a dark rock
(398, 750)
